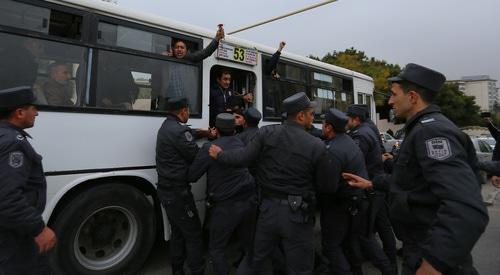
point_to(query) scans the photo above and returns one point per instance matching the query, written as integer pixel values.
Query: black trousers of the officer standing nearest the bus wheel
(186, 241)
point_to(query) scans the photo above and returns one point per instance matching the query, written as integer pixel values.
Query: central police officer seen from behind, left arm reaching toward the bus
(291, 165)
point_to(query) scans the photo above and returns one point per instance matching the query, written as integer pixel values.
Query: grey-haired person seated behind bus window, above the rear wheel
(57, 89)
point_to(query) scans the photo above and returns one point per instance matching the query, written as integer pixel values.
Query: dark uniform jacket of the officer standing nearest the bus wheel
(175, 150)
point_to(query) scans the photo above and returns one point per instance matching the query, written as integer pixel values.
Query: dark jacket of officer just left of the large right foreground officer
(368, 142)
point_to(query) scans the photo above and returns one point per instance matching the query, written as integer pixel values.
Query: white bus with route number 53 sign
(99, 144)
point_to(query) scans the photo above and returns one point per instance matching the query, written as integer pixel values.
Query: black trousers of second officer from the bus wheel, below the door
(227, 218)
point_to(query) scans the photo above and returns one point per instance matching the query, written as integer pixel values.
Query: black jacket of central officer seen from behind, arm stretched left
(288, 159)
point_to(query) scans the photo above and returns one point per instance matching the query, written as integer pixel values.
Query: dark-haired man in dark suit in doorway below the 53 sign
(223, 99)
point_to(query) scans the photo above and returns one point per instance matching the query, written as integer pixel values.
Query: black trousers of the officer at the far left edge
(19, 256)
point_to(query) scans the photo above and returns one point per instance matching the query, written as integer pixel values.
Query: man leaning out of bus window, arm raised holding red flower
(181, 50)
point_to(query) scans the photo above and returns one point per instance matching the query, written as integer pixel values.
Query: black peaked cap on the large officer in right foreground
(422, 76)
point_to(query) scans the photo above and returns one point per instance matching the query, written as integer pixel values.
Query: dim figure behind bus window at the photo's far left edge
(19, 66)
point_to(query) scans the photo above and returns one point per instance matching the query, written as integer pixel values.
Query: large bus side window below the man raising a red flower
(131, 82)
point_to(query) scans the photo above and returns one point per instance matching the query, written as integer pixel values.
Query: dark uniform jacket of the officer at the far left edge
(22, 184)
